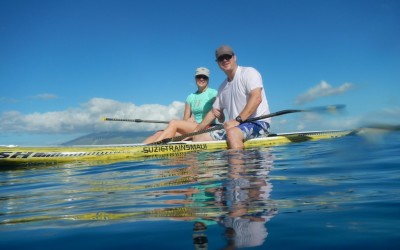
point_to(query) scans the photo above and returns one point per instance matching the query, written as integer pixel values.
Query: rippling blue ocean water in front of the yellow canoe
(330, 194)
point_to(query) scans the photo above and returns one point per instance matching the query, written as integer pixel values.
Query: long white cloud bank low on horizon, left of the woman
(88, 118)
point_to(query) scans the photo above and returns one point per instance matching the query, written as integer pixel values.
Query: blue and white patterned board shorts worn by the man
(250, 130)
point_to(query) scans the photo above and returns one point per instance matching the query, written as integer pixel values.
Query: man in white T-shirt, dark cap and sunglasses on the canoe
(240, 96)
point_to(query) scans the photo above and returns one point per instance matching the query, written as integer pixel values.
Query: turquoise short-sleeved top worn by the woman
(201, 104)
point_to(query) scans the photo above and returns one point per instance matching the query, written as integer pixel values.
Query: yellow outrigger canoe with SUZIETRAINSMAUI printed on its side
(10, 156)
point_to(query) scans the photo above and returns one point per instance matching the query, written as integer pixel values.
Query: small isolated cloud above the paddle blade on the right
(321, 90)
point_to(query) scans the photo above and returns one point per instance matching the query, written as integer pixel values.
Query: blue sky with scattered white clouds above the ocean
(66, 64)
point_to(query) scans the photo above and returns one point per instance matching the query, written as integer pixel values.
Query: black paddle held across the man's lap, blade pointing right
(322, 109)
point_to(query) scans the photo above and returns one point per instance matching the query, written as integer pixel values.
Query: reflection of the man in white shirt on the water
(245, 194)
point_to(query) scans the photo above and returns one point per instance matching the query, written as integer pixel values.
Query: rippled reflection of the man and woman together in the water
(239, 202)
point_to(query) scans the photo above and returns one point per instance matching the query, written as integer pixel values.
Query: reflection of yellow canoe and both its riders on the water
(228, 189)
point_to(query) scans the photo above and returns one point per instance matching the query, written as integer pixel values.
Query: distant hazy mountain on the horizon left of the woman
(105, 138)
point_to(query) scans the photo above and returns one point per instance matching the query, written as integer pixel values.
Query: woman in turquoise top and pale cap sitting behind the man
(198, 104)
